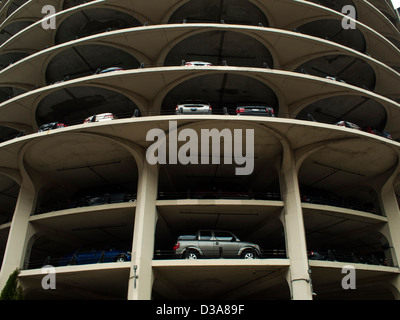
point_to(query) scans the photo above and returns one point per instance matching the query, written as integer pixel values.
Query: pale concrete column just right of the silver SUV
(292, 217)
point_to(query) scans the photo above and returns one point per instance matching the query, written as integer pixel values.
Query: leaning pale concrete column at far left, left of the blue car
(20, 232)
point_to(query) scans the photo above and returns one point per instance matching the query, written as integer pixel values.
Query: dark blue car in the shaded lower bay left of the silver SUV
(88, 255)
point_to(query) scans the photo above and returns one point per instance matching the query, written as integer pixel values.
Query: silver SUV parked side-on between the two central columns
(215, 244)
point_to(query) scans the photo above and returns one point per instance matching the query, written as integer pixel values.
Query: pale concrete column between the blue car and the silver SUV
(141, 274)
